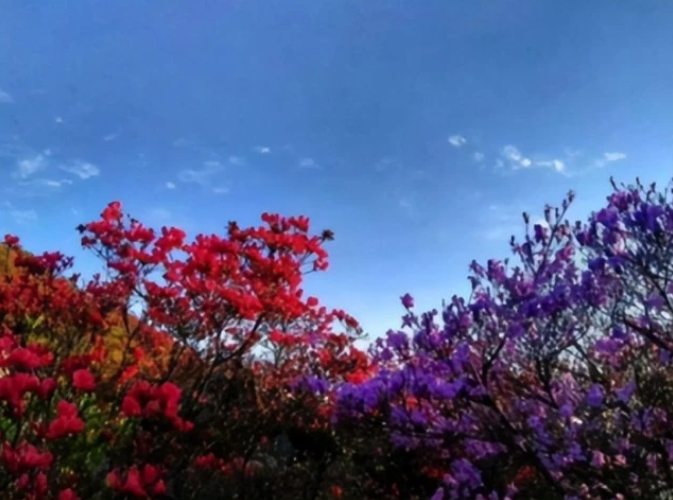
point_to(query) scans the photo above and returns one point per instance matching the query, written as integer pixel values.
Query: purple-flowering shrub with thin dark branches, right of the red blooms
(553, 380)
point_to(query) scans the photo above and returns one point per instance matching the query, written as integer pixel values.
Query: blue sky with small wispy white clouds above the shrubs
(417, 131)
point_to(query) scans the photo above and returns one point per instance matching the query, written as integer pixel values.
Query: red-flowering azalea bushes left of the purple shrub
(176, 373)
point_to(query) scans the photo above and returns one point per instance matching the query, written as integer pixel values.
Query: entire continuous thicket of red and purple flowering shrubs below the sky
(199, 369)
